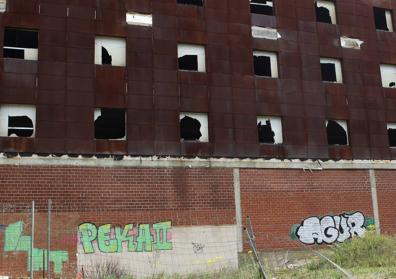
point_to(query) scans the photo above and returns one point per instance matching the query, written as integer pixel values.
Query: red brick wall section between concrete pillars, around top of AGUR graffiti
(277, 199)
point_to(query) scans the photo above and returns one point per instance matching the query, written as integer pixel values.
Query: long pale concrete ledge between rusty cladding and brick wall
(180, 162)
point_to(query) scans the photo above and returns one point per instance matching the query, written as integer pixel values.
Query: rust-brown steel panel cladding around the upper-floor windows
(153, 91)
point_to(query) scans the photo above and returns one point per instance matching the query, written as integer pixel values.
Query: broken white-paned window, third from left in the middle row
(191, 57)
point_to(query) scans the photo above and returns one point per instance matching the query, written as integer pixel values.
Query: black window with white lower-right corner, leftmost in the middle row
(20, 43)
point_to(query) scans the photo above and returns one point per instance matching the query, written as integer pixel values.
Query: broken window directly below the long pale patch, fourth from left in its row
(265, 64)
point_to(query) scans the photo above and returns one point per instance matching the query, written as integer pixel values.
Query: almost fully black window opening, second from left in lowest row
(110, 124)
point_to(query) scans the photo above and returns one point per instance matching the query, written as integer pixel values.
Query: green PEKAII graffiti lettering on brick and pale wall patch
(108, 239)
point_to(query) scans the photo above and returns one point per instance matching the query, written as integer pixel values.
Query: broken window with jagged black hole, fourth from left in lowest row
(269, 130)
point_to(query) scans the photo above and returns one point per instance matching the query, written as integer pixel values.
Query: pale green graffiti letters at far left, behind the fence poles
(15, 241)
